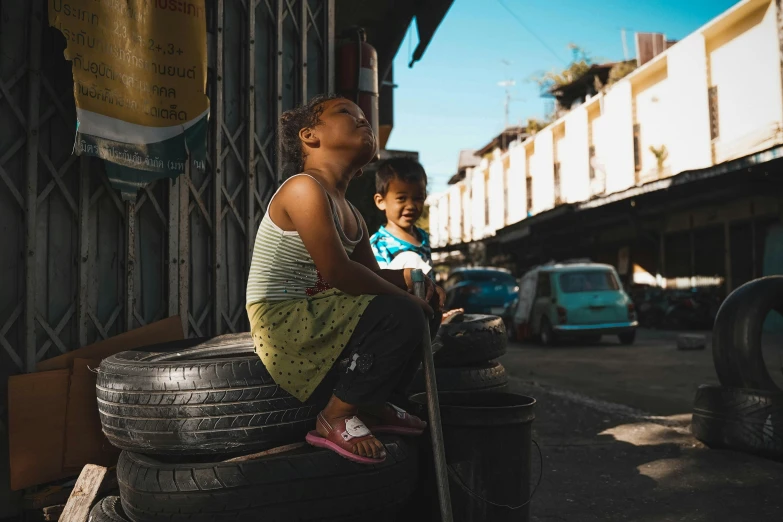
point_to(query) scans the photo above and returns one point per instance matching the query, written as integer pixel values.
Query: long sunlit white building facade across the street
(712, 97)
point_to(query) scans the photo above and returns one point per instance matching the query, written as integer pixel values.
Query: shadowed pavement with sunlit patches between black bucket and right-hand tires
(605, 462)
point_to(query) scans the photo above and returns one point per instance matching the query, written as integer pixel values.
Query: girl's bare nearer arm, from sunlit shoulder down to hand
(306, 205)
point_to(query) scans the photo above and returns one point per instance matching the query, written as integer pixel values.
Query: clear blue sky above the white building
(451, 100)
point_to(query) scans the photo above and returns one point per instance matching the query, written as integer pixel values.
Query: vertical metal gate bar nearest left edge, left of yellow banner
(31, 202)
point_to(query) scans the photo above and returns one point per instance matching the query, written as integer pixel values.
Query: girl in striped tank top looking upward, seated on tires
(316, 295)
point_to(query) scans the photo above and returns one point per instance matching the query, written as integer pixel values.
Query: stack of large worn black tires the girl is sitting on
(189, 415)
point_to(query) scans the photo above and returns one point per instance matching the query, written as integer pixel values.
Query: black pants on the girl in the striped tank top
(384, 352)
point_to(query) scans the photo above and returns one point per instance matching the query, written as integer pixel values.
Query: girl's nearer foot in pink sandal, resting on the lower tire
(348, 437)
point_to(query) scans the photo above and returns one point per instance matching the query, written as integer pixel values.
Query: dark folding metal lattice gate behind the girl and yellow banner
(88, 265)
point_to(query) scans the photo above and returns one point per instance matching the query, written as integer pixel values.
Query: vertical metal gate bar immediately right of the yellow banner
(217, 180)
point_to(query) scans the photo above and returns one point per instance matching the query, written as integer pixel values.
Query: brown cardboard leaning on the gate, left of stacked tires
(54, 427)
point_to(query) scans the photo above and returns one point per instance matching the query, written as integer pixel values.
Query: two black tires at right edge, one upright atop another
(745, 413)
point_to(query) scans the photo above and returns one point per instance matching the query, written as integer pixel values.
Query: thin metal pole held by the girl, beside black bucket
(433, 409)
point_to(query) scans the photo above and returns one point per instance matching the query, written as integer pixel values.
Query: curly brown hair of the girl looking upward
(305, 116)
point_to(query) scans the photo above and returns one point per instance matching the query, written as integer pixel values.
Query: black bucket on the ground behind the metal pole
(487, 438)
